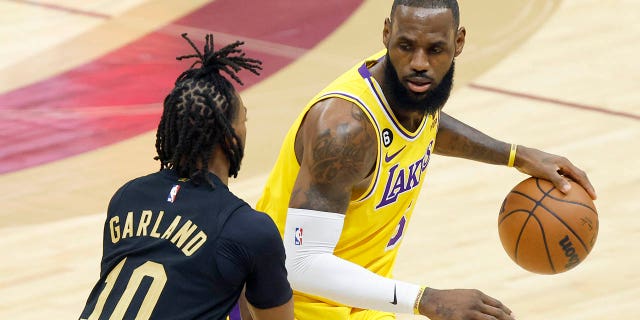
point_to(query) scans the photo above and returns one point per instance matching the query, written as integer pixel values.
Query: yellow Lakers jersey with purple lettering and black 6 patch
(375, 222)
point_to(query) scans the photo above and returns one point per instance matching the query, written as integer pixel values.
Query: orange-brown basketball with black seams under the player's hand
(544, 230)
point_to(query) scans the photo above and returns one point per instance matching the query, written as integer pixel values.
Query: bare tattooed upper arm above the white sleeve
(338, 144)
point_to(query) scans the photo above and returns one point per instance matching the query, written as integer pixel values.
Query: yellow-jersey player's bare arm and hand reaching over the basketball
(457, 139)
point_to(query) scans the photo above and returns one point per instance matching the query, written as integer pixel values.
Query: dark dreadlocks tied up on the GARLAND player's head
(199, 111)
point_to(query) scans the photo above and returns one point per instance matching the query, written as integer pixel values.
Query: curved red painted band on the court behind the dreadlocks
(120, 95)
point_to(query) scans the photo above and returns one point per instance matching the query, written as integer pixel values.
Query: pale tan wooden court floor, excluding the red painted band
(556, 75)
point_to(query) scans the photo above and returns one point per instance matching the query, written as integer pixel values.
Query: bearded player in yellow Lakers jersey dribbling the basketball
(346, 181)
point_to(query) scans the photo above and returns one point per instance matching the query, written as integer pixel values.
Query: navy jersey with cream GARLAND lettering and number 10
(176, 250)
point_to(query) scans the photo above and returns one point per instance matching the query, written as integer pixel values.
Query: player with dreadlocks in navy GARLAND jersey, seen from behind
(177, 243)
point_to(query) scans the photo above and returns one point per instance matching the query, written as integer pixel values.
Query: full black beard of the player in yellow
(403, 98)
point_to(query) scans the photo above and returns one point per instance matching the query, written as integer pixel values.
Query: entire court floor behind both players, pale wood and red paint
(81, 91)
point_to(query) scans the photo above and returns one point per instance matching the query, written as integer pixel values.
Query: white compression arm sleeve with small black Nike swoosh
(309, 240)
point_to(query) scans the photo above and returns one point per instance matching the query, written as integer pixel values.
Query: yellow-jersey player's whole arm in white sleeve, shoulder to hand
(336, 149)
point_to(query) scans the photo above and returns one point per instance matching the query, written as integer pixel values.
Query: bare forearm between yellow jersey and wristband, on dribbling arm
(457, 139)
